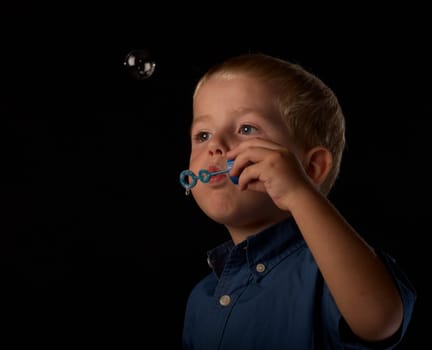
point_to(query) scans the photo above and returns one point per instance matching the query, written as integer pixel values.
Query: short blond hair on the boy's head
(309, 107)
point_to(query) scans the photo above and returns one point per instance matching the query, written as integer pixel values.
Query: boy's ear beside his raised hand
(319, 162)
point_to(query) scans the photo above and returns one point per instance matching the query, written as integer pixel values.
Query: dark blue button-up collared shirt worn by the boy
(267, 294)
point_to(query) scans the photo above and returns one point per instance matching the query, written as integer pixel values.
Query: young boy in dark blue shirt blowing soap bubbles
(295, 274)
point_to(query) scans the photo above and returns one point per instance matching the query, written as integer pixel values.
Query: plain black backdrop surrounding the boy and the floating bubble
(99, 245)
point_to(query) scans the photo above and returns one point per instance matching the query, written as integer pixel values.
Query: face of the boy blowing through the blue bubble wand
(227, 112)
